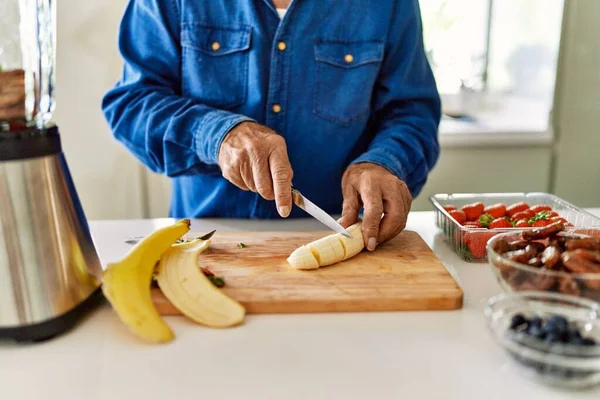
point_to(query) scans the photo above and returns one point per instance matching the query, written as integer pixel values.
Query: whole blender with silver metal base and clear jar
(50, 272)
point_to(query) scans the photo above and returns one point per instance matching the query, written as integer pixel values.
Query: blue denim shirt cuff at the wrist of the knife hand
(210, 132)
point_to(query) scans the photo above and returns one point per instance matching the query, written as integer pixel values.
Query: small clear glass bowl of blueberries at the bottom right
(552, 338)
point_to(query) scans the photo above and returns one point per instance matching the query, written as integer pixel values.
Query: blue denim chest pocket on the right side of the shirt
(345, 76)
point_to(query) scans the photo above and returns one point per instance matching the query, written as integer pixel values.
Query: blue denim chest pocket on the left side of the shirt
(215, 64)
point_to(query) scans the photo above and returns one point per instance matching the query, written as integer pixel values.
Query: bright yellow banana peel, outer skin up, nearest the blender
(126, 284)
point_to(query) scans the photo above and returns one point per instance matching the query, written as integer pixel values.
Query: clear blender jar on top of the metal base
(27, 63)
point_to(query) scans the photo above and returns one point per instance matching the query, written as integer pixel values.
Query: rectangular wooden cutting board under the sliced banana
(403, 274)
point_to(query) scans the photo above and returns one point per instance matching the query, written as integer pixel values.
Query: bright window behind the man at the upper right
(493, 52)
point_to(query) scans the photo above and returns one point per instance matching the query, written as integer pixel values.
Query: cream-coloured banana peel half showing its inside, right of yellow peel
(185, 286)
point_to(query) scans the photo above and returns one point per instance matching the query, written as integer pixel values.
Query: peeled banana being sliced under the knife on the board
(328, 250)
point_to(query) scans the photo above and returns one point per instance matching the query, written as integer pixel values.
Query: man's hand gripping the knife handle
(254, 157)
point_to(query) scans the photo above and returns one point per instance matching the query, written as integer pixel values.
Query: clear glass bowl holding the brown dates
(515, 277)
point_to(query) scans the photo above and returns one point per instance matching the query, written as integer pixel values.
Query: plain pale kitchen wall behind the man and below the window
(113, 185)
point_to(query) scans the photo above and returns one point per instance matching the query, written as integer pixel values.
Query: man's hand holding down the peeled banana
(379, 192)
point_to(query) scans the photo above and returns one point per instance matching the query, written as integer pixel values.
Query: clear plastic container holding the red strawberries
(459, 237)
